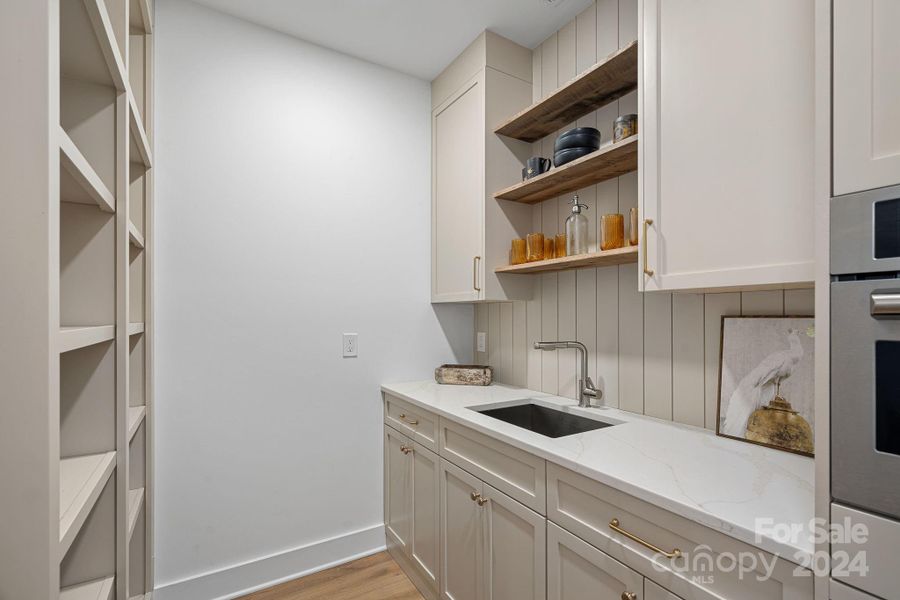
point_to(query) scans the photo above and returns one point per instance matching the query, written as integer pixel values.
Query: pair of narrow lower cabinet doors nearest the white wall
(411, 509)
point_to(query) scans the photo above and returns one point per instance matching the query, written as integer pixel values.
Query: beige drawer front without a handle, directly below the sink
(514, 472)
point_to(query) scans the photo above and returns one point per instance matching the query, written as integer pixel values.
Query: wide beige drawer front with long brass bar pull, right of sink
(591, 510)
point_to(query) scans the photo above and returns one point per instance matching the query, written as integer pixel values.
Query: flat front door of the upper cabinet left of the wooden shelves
(458, 195)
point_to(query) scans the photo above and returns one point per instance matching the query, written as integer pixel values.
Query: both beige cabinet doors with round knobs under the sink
(493, 547)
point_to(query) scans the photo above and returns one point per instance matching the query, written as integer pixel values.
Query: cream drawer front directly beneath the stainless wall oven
(880, 548)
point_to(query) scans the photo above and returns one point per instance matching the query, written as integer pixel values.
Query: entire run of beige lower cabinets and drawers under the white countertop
(460, 538)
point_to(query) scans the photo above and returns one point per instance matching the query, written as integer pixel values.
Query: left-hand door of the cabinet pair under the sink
(461, 535)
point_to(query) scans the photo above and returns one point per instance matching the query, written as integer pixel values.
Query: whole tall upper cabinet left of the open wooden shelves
(490, 80)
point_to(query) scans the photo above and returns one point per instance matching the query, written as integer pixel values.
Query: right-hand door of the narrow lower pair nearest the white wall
(426, 529)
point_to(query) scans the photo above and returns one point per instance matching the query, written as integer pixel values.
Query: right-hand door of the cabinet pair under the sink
(515, 549)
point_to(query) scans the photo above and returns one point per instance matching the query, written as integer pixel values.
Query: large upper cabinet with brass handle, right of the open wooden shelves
(726, 172)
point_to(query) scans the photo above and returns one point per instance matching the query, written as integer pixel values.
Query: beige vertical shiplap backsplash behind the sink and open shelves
(655, 353)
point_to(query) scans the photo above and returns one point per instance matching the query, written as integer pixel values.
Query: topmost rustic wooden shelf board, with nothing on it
(606, 81)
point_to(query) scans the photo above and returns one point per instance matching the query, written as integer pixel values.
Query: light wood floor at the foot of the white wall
(375, 577)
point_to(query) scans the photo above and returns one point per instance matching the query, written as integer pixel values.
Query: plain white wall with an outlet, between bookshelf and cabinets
(293, 190)
